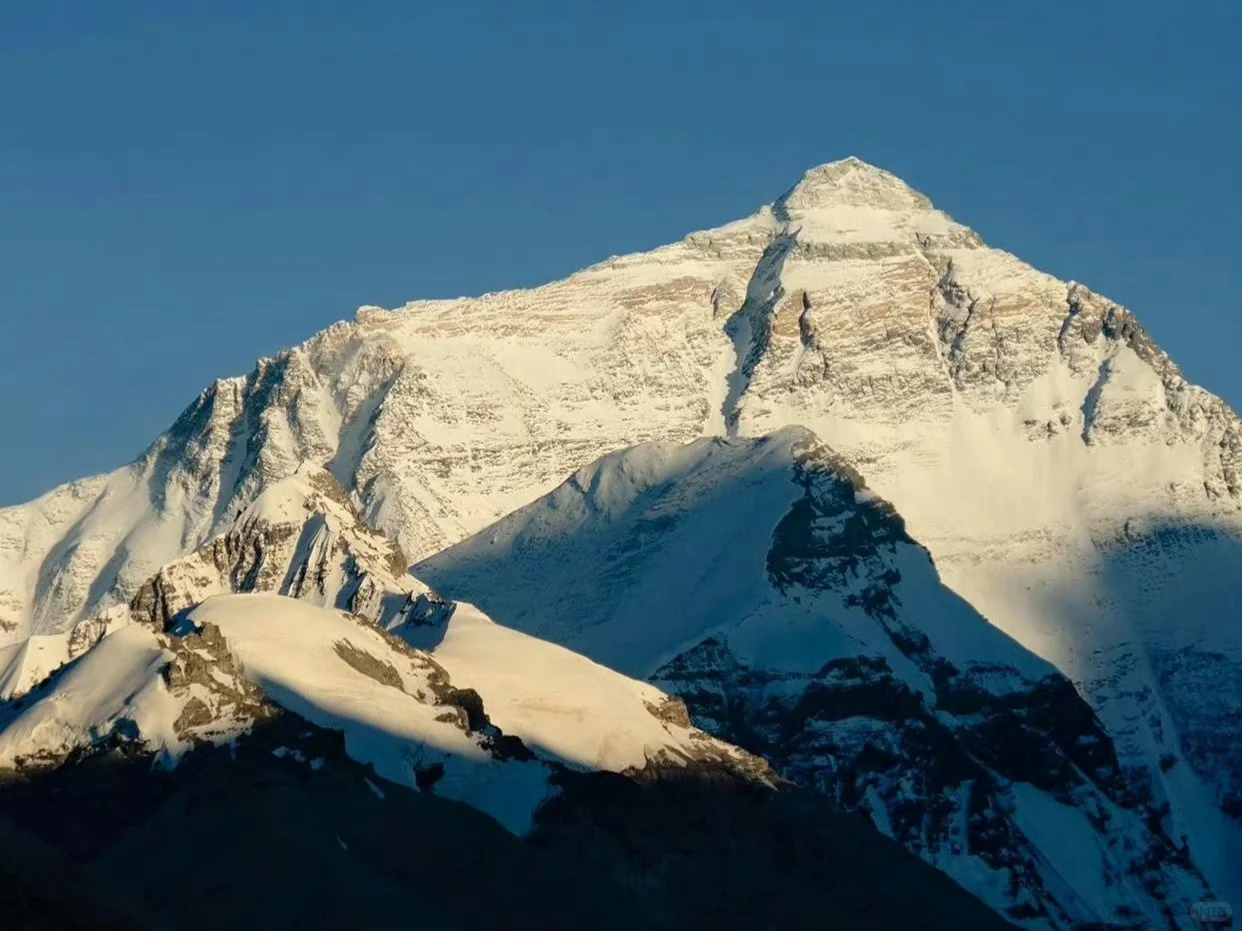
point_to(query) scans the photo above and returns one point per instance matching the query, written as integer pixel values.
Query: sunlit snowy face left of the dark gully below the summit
(440, 423)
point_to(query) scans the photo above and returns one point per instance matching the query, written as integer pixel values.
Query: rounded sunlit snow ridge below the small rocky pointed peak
(235, 659)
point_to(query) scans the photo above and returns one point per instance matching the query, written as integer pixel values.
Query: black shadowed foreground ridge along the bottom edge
(255, 839)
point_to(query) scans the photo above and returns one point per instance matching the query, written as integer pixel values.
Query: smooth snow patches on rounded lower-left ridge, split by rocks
(563, 706)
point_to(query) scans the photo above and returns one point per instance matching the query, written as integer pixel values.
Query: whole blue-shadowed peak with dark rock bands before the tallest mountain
(783, 600)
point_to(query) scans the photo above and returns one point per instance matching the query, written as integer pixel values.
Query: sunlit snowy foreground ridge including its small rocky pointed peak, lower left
(188, 661)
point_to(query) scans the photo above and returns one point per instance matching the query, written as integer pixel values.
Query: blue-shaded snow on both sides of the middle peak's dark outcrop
(655, 548)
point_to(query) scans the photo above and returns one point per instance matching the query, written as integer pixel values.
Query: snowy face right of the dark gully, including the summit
(1067, 480)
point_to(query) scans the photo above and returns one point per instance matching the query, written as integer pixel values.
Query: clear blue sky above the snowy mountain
(186, 187)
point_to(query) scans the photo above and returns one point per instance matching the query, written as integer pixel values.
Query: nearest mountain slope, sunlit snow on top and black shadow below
(266, 735)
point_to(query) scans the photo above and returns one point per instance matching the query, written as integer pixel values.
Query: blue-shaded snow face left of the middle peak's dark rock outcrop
(675, 549)
